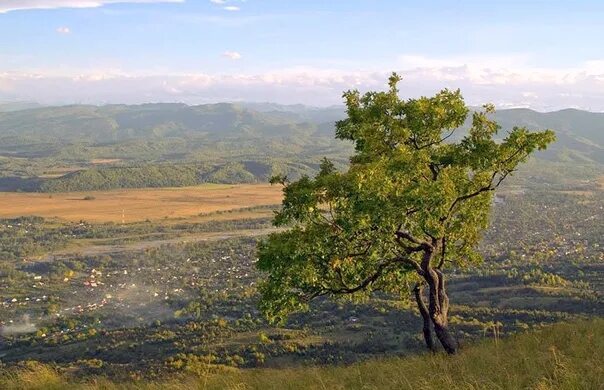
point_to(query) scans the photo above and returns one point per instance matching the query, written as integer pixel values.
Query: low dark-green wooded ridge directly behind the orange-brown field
(169, 175)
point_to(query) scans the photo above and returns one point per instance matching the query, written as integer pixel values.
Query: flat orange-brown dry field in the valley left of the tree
(138, 204)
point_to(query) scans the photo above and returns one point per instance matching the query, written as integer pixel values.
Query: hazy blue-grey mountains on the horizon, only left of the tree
(118, 123)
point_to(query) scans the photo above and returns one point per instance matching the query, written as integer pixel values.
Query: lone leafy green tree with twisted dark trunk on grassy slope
(411, 204)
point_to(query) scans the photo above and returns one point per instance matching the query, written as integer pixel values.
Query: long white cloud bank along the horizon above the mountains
(513, 85)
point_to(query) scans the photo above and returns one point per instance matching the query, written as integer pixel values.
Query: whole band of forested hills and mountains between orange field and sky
(93, 147)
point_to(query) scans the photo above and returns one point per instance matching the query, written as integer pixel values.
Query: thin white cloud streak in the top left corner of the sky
(16, 5)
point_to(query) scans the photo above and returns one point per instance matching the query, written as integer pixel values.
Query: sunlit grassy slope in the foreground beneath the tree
(562, 356)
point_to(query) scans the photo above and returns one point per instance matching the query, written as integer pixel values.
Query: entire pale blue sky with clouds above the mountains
(545, 55)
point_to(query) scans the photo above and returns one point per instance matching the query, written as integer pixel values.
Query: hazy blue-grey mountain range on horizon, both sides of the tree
(85, 123)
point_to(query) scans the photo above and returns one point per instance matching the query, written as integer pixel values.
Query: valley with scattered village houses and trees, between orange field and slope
(174, 290)
